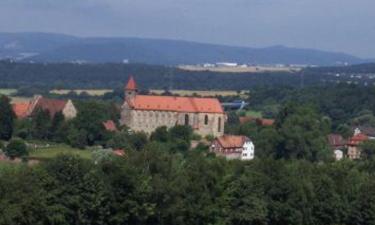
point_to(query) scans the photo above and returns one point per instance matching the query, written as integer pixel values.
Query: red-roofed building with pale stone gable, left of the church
(53, 106)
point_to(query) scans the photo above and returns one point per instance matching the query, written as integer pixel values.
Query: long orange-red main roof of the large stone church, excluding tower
(177, 104)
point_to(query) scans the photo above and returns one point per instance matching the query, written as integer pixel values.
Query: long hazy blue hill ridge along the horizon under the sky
(42, 47)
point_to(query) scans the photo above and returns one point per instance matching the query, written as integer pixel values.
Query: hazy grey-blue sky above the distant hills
(334, 25)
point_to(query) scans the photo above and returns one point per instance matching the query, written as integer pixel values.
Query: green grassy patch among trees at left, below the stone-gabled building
(51, 152)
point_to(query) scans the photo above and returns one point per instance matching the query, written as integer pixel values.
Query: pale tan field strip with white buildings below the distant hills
(240, 69)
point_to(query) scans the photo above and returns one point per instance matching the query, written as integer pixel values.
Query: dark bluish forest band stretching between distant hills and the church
(72, 76)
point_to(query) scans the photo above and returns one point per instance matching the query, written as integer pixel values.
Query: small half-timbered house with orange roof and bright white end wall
(233, 147)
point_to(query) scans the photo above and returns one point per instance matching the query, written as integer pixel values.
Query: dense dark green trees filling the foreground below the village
(156, 187)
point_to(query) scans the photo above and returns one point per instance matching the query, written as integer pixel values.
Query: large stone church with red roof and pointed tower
(146, 112)
